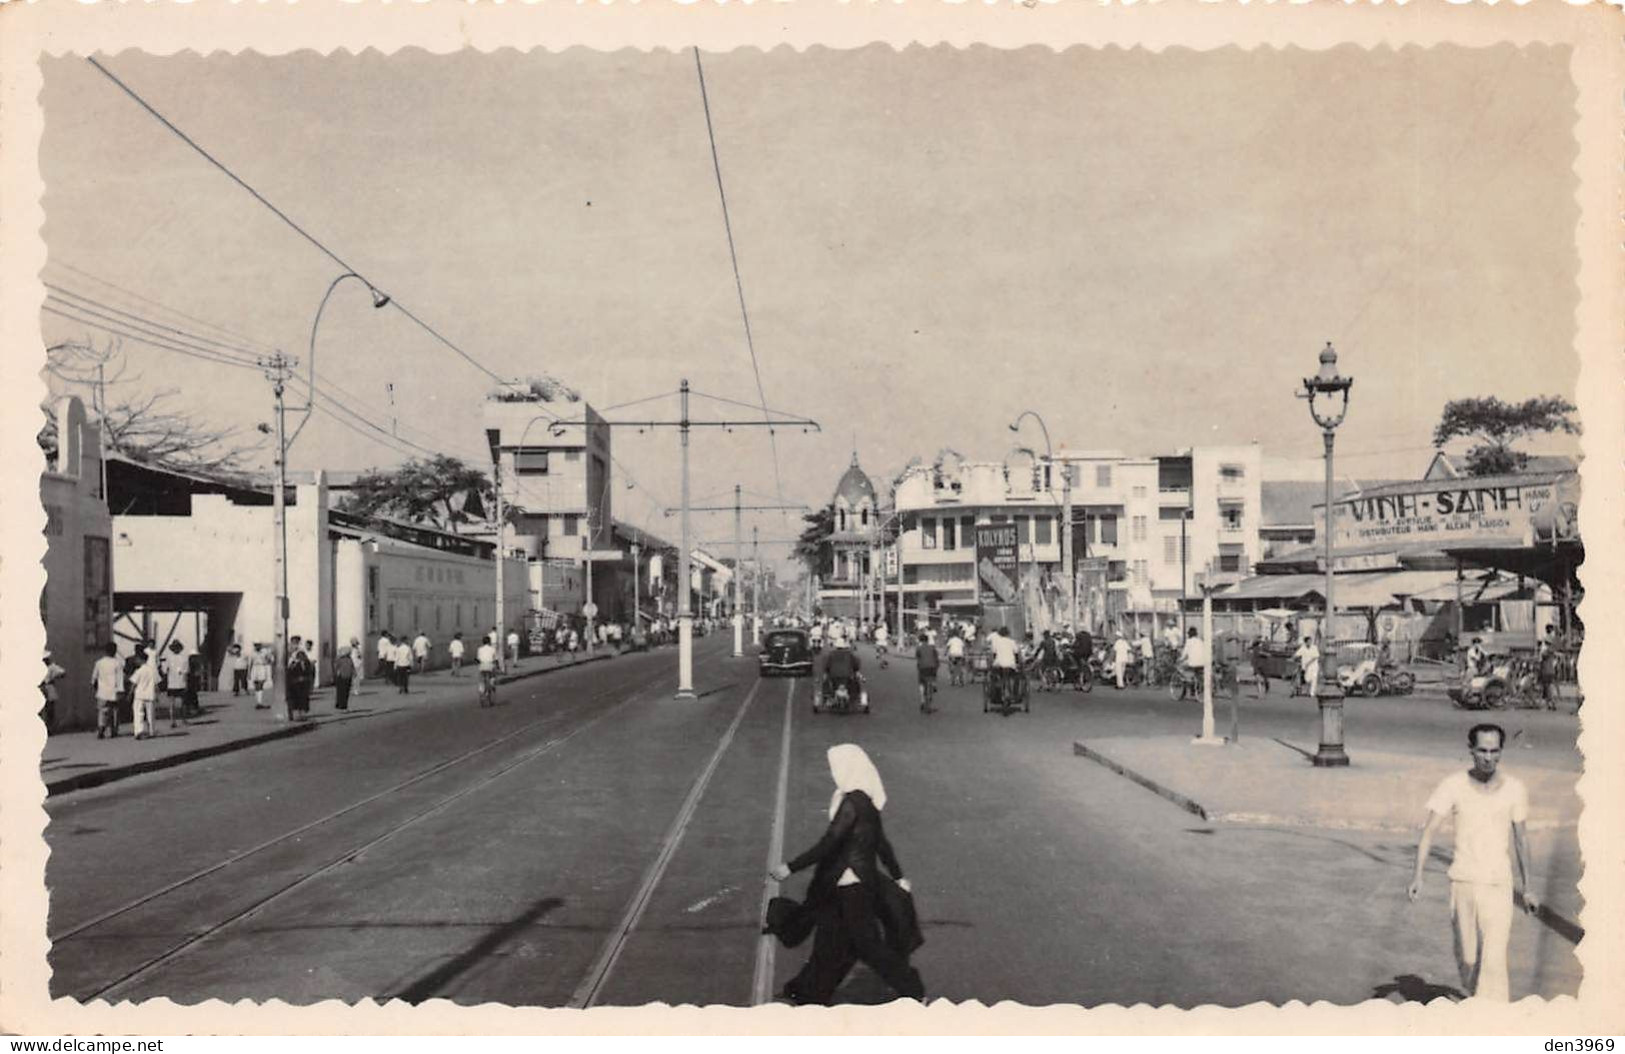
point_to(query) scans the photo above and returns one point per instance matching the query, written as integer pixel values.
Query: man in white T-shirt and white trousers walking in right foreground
(1488, 806)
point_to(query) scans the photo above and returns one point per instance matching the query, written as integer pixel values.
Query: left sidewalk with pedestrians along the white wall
(79, 761)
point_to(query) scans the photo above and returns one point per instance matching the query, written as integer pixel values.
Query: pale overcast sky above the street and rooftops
(1148, 249)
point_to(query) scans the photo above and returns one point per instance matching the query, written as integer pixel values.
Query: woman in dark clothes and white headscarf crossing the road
(849, 889)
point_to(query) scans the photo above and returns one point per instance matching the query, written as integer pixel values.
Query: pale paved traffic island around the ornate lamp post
(1272, 784)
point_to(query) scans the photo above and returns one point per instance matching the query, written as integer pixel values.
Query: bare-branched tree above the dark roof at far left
(142, 428)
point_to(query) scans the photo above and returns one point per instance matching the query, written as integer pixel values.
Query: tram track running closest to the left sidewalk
(553, 724)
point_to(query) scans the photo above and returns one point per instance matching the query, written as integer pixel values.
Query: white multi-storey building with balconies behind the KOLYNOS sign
(1143, 529)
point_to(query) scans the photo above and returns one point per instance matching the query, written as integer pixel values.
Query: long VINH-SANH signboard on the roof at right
(1457, 514)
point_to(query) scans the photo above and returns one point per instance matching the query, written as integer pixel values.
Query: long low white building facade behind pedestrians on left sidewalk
(199, 568)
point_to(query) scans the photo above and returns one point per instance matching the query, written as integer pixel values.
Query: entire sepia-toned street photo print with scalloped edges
(813, 527)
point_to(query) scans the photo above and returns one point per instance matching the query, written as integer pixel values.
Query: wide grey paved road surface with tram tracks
(596, 842)
